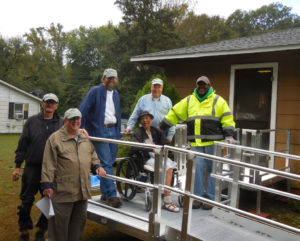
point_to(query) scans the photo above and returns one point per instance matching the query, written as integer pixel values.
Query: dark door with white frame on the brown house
(253, 99)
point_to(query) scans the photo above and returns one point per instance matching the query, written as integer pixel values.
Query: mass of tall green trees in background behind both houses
(70, 63)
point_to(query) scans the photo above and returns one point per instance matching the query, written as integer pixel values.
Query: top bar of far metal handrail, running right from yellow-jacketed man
(260, 151)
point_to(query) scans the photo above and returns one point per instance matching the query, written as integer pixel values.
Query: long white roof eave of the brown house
(217, 53)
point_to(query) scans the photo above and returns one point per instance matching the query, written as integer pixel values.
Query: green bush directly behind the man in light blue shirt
(169, 90)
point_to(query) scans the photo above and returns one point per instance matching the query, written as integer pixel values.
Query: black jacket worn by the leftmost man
(33, 139)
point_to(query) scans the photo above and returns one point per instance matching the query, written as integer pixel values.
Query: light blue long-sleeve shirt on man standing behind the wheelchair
(159, 108)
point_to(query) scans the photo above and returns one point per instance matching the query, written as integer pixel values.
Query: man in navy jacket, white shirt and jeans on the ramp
(101, 117)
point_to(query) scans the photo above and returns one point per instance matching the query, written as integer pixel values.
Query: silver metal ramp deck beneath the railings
(205, 225)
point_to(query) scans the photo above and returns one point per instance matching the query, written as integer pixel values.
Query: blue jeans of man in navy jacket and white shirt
(107, 154)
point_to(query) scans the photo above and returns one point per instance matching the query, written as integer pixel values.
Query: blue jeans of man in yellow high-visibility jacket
(199, 176)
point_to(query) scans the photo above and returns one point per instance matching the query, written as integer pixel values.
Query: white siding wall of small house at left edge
(10, 95)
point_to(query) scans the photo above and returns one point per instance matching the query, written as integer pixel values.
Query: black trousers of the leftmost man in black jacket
(31, 179)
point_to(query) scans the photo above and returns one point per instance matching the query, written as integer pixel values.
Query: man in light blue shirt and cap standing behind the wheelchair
(156, 104)
